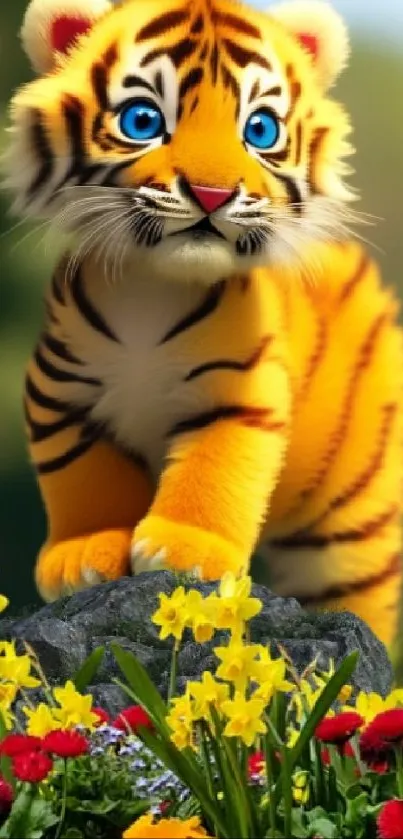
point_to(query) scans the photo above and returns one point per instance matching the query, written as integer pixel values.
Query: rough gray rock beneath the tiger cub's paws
(65, 632)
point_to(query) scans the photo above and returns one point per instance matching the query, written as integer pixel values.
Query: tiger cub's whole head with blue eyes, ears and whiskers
(195, 138)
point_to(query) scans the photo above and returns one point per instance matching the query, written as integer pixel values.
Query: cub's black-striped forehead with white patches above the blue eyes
(210, 42)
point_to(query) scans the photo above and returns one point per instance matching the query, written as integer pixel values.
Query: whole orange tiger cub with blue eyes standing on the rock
(220, 368)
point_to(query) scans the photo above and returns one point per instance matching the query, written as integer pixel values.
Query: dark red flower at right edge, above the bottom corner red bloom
(379, 737)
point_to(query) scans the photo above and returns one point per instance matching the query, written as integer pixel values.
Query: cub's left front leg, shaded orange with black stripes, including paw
(94, 496)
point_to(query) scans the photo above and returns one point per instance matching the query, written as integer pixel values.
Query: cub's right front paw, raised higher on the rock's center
(161, 543)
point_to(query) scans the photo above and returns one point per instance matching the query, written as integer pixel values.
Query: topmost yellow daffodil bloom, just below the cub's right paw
(235, 606)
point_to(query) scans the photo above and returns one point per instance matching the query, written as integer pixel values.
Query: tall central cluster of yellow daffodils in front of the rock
(246, 678)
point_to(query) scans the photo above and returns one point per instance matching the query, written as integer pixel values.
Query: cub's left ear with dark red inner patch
(51, 27)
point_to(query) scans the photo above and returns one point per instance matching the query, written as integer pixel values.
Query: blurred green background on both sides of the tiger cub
(372, 89)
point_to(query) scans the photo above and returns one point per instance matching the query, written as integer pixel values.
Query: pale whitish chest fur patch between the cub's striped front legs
(143, 372)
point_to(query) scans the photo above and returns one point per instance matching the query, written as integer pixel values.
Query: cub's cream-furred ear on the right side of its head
(321, 31)
